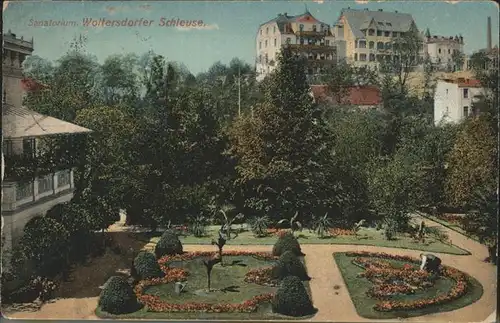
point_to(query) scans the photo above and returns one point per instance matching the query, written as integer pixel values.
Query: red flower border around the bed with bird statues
(154, 303)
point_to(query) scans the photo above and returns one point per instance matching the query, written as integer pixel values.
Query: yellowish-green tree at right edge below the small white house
(472, 162)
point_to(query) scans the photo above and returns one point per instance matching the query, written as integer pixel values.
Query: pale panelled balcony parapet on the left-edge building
(21, 195)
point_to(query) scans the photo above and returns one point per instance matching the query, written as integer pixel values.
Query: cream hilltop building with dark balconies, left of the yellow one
(304, 34)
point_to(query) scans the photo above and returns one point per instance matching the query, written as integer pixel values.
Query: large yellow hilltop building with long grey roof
(369, 36)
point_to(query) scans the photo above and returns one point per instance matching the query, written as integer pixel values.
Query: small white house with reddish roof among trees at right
(454, 99)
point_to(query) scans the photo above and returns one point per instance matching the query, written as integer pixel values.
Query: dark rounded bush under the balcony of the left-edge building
(44, 242)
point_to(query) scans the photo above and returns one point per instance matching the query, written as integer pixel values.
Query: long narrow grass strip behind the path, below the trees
(366, 236)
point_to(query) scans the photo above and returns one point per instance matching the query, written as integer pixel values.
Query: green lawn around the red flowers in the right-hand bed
(357, 288)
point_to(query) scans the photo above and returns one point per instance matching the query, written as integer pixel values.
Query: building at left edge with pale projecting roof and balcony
(23, 133)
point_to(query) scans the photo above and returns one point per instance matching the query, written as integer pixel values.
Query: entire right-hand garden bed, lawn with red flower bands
(384, 286)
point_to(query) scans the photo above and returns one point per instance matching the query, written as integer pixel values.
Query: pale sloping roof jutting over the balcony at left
(22, 123)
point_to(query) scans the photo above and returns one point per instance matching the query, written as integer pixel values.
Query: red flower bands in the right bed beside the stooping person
(407, 272)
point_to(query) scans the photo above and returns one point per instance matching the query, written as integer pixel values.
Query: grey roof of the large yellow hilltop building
(384, 20)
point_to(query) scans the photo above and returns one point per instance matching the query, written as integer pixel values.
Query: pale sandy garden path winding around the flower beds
(325, 275)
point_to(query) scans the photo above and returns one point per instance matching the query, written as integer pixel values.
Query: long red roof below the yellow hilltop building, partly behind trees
(357, 95)
